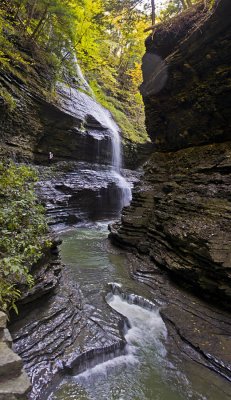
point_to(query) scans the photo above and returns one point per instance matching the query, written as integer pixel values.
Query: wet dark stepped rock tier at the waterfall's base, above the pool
(76, 192)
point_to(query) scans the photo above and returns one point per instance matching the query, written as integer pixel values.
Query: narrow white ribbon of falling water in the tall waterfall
(83, 106)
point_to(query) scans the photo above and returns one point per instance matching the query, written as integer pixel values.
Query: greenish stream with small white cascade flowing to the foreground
(145, 371)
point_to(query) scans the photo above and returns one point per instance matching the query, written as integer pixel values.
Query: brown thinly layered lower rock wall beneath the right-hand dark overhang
(180, 217)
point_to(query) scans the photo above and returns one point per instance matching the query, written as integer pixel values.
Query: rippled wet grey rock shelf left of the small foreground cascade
(64, 334)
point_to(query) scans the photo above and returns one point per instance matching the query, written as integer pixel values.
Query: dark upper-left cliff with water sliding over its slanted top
(71, 125)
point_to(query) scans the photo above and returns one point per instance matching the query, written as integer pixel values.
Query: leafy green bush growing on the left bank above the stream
(22, 231)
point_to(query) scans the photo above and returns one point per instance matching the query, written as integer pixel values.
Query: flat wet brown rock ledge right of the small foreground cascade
(197, 332)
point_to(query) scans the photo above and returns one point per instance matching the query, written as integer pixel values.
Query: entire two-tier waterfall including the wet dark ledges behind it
(96, 188)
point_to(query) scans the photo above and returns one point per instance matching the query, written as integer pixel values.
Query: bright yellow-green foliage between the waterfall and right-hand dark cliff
(109, 47)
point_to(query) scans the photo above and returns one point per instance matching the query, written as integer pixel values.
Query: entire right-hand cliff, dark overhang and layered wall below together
(180, 212)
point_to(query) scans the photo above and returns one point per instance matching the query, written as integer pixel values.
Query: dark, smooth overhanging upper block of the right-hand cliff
(186, 88)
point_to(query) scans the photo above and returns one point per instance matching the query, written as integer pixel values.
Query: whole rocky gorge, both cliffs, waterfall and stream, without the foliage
(146, 314)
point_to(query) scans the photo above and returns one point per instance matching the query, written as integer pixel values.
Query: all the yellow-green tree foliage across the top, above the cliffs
(107, 36)
